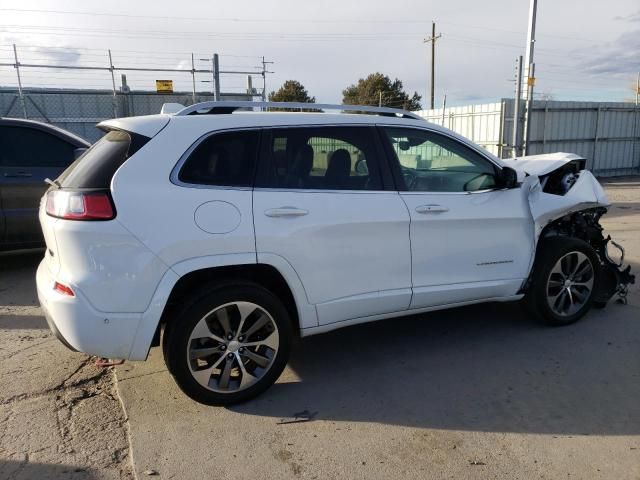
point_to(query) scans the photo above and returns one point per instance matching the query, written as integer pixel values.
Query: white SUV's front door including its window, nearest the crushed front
(470, 239)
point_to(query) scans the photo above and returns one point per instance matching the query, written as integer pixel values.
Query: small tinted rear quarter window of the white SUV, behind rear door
(224, 159)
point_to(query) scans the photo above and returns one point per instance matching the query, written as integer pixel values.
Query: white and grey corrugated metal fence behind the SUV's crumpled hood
(606, 134)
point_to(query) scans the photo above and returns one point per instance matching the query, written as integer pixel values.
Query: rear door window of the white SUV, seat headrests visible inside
(322, 158)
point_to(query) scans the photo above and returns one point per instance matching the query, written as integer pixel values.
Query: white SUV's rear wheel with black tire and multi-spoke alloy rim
(228, 345)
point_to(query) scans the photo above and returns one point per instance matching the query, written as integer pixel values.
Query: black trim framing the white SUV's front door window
(394, 164)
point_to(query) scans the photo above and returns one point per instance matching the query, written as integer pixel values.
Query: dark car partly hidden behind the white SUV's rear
(30, 151)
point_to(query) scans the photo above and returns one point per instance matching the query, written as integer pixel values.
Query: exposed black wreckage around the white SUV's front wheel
(614, 278)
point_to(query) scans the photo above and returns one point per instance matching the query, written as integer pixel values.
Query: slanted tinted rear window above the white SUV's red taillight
(96, 167)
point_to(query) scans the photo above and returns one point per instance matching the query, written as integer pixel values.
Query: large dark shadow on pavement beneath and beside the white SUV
(480, 368)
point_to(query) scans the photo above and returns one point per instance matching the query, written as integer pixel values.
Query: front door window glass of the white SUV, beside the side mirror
(430, 162)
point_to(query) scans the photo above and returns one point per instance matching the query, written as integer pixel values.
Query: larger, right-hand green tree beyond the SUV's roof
(368, 91)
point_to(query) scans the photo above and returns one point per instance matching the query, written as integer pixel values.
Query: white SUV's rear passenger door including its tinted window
(320, 203)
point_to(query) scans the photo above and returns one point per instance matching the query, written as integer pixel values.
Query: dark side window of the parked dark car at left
(29, 147)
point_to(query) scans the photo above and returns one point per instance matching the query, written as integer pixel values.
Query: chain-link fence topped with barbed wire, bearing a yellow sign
(75, 88)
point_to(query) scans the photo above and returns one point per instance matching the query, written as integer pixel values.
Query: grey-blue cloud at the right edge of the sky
(615, 58)
